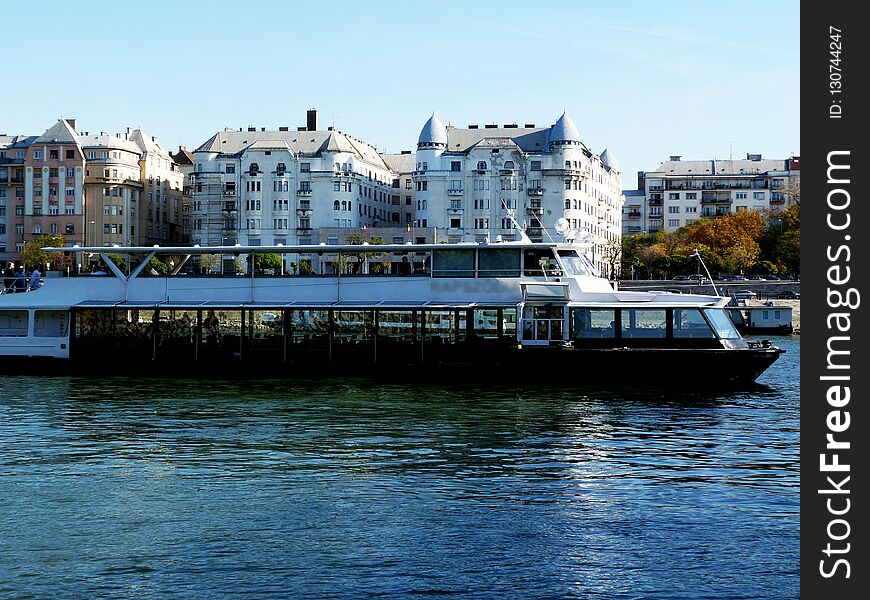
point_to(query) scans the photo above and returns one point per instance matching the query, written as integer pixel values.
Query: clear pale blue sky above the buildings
(646, 79)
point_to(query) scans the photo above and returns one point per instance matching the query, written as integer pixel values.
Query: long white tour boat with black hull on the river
(503, 310)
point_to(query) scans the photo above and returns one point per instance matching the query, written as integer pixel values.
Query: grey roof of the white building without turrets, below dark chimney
(299, 142)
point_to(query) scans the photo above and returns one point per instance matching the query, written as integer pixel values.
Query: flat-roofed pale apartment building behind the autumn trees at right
(679, 192)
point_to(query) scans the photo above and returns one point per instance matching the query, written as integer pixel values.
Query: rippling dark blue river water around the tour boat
(153, 488)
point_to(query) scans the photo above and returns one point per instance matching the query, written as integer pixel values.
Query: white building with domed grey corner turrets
(469, 181)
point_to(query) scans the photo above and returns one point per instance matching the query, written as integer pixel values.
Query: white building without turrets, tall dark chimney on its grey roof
(270, 187)
